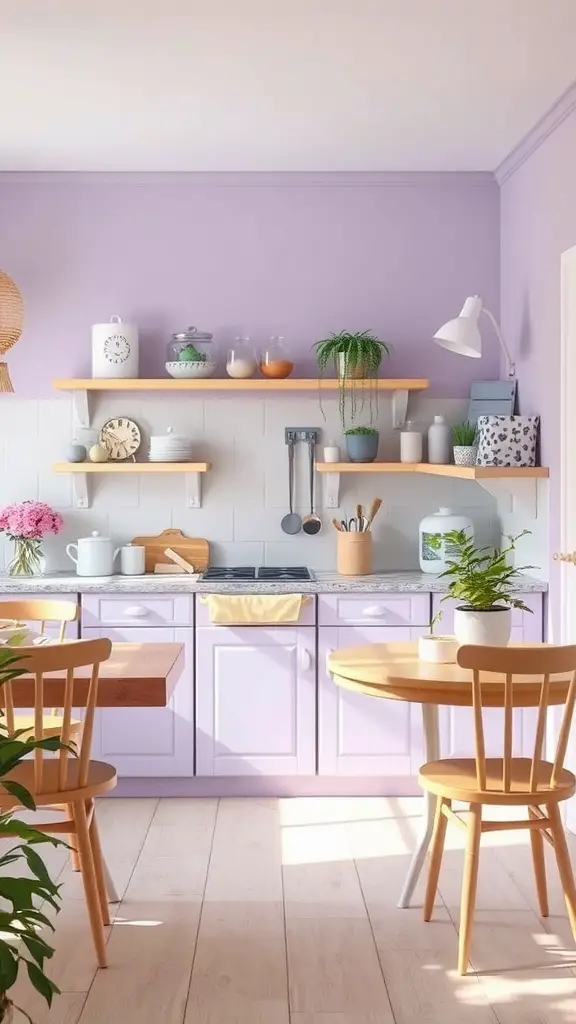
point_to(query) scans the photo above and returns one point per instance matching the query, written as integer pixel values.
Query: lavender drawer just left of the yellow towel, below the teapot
(138, 610)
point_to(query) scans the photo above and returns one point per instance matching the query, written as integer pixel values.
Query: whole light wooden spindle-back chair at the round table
(533, 783)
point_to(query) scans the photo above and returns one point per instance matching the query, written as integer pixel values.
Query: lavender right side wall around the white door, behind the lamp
(539, 224)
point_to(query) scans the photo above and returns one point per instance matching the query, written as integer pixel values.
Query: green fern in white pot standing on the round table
(482, 581)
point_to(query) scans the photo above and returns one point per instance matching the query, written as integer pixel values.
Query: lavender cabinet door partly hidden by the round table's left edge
(364, 736)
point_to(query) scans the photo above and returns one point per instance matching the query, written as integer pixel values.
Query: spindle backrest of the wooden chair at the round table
(542, 662)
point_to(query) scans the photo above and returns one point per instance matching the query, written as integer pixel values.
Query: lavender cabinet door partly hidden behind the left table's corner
(149, 742)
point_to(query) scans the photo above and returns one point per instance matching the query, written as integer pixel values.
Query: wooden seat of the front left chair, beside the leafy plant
(102, 778)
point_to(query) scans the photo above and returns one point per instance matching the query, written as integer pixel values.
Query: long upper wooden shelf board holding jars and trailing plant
(228, 385)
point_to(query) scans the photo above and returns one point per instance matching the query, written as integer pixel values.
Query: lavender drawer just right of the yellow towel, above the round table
(375, 610)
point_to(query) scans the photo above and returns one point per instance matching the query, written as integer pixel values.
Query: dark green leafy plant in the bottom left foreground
(20, 918)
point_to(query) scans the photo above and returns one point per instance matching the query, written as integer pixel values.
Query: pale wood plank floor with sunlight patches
(283, 912)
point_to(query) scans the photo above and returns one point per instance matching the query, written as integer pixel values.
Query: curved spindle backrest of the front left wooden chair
(65, 660)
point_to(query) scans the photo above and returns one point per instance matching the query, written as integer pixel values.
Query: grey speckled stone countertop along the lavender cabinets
(324, 583)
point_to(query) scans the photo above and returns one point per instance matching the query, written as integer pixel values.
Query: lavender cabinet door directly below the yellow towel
(256, 701)
